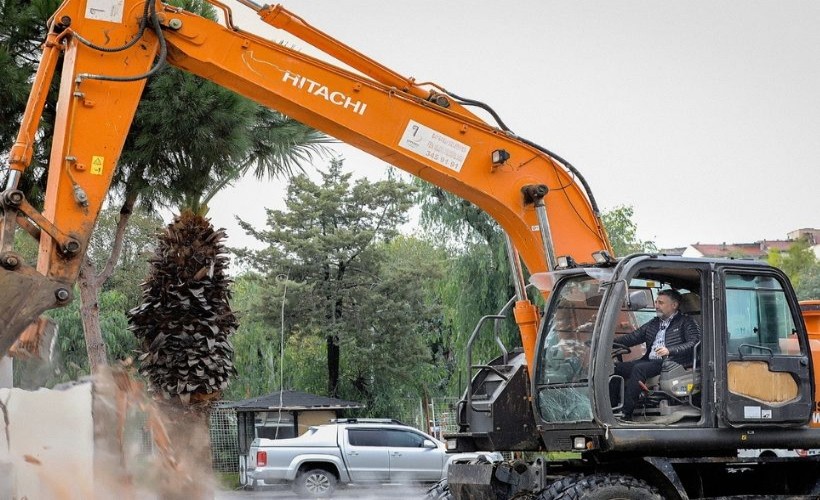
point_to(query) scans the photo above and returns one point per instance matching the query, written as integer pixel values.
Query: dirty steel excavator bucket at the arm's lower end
(24, 296)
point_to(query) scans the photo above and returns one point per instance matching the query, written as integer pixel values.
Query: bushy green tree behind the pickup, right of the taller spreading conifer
(404, 330)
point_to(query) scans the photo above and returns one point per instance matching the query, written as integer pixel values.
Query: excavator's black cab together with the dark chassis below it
(748, 385)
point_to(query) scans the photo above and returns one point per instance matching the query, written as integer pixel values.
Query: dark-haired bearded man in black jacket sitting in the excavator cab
(671, 335)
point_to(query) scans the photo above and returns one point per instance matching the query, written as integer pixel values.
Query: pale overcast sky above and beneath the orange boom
(702, 115)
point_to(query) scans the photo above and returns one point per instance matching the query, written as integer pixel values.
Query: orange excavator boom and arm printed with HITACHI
(110, 46)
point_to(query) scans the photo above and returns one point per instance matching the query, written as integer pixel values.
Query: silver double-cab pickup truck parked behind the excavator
(348, 451)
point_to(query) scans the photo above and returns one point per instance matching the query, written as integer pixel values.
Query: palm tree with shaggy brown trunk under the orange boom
(194, 139)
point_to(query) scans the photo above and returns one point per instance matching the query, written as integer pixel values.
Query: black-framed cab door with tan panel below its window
(767, 373)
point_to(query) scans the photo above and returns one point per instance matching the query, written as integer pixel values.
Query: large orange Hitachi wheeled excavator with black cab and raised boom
(751, 381)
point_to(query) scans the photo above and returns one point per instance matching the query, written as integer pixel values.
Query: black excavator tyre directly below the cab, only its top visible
(609, 487)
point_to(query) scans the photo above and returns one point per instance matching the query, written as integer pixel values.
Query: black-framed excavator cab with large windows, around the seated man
(750, 369)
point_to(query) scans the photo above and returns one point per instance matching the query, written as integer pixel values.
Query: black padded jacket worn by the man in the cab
(681, 336)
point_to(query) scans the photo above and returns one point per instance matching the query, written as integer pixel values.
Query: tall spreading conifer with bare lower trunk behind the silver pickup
(323, 260)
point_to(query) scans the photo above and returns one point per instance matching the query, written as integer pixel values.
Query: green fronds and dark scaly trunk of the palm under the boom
(186, 165)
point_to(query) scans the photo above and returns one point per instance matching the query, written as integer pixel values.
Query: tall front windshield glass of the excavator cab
(563, 364)
